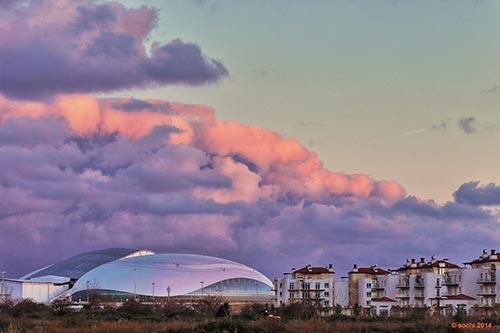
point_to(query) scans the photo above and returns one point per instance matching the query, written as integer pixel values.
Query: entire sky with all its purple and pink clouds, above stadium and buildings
(273, 133)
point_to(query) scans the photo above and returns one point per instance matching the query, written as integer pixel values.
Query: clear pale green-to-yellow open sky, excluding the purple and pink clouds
(351, 78)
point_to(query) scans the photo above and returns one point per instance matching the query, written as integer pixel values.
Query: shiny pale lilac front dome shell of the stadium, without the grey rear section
(166, 274)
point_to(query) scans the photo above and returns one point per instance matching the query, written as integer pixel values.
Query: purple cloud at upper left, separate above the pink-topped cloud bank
(85, 46)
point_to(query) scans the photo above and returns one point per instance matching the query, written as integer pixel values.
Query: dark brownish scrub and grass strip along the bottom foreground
(208, 317)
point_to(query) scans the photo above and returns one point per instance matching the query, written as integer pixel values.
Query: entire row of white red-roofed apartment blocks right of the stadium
(436, 285)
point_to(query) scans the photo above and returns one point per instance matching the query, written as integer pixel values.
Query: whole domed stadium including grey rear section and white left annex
(124, 274)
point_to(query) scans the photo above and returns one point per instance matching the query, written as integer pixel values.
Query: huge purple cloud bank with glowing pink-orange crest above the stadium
(80, 173)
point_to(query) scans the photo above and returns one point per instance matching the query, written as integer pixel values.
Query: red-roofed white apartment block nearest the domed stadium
(312, 286)
